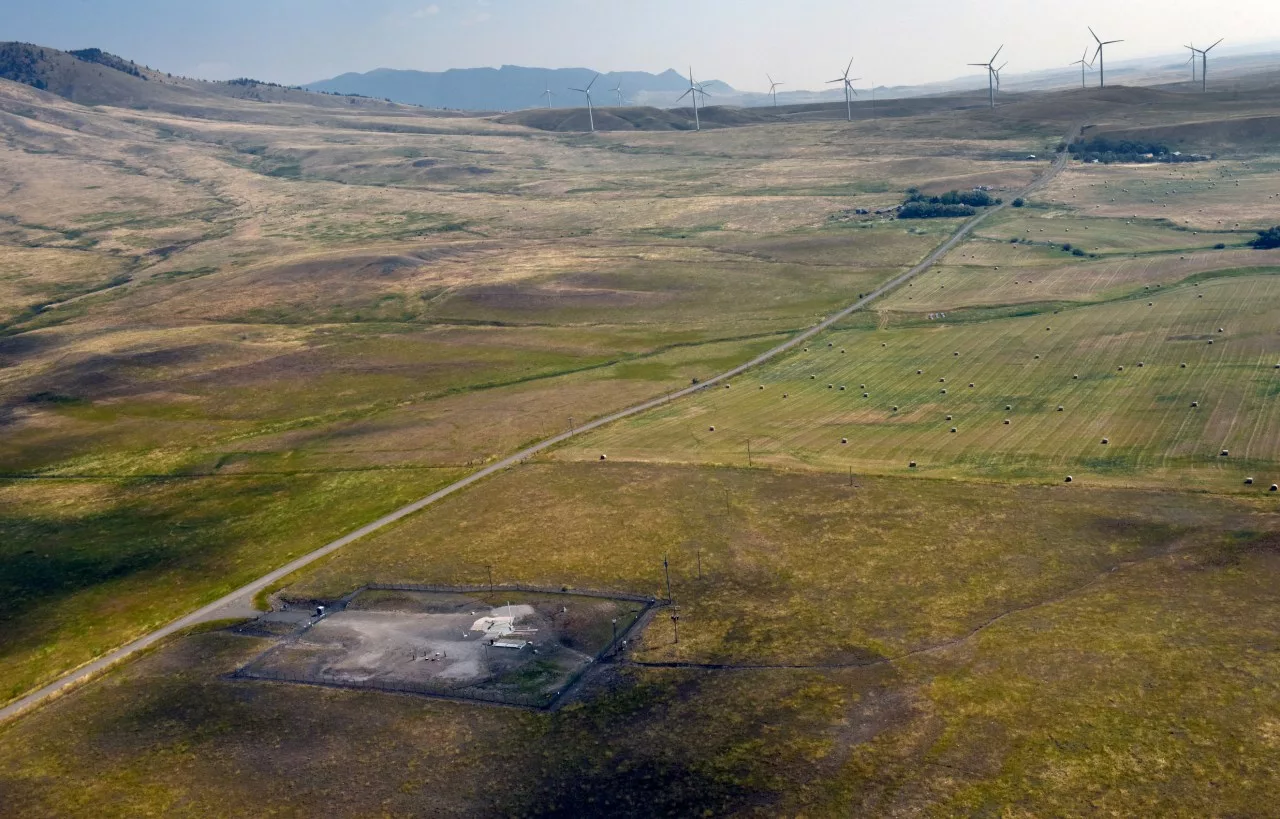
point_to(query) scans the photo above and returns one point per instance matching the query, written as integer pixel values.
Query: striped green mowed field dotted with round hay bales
(1132, 390)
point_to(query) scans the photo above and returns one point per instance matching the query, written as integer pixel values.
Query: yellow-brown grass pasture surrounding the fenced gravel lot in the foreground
(899, 648)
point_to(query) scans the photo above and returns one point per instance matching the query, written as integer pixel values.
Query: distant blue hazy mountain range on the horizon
(513, 88)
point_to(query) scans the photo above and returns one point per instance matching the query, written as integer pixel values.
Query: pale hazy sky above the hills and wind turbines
(802, 43)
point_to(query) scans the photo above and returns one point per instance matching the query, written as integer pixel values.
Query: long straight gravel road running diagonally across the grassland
(240, 603)
